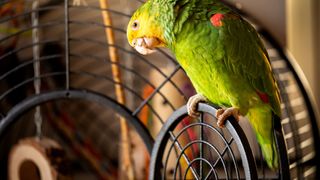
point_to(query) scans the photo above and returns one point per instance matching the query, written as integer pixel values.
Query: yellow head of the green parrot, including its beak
(144, 32)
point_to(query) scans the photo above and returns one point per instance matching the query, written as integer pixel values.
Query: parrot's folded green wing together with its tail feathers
(248, 59)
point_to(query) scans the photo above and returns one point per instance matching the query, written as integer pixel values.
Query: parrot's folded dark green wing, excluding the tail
(247, 58)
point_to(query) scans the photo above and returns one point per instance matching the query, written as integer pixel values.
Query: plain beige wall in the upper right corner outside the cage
(303, 25)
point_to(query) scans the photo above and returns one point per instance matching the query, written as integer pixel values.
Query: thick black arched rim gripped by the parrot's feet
(231, 126)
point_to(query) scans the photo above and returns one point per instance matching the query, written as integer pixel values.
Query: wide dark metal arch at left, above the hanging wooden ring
(26, 105)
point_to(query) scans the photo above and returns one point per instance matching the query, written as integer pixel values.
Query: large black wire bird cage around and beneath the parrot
(68, 73)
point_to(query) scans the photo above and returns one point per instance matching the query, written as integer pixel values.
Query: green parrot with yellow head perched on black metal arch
(222, 55)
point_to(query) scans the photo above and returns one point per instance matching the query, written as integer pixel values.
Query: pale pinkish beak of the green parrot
(145, 45)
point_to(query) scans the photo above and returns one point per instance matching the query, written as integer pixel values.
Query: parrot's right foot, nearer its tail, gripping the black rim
(223, 114)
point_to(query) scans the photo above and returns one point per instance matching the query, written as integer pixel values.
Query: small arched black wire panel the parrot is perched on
(200, 149)
